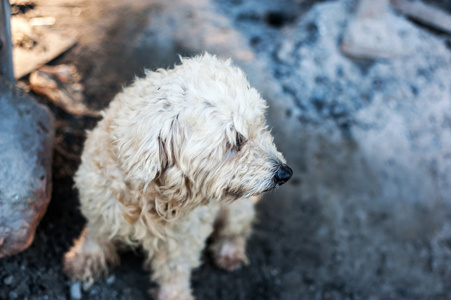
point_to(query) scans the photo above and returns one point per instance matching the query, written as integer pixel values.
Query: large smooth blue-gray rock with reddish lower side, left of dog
(26, 140)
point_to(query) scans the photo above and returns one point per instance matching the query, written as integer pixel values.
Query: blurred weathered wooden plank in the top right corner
(423, 13)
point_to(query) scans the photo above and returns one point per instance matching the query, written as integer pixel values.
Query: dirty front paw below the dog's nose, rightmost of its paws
(229, 254)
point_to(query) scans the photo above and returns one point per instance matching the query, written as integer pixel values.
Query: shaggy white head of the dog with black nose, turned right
(196, 134)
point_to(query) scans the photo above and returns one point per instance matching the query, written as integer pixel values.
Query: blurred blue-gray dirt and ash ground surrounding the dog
(367, 213)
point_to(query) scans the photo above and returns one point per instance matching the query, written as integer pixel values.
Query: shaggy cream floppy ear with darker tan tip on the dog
(147, 154)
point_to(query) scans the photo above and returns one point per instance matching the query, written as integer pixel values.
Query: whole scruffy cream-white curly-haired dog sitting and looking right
(179, 155)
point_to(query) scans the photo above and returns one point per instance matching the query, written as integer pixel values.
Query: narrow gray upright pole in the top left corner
(6, 56)
